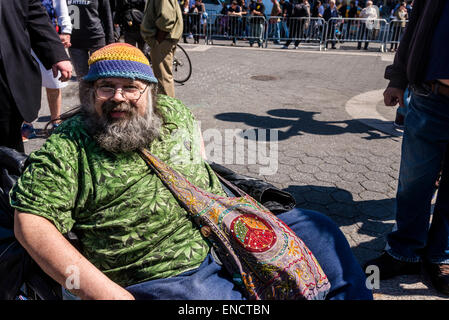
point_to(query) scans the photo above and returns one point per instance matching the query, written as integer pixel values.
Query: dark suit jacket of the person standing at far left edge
(24, 24)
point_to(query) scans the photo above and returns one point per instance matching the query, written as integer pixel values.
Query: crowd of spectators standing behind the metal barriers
(290, 20)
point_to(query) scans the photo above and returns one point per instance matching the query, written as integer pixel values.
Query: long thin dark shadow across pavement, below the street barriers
(298, 122)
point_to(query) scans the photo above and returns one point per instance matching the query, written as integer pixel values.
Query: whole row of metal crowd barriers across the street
(284, 30)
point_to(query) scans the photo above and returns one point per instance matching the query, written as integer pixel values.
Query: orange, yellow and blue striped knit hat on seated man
(119, 60)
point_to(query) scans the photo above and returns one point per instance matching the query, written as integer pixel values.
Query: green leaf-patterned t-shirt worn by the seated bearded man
(129, 224)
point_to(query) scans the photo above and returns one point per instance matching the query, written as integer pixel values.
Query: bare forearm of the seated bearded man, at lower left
(56, 256)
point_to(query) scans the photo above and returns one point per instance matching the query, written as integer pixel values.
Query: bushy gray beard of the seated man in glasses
(123, 135)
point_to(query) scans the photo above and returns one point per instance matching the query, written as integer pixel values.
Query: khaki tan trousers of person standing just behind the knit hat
(162, 62)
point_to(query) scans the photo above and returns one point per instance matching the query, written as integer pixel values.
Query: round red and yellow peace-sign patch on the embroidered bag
(253, 233)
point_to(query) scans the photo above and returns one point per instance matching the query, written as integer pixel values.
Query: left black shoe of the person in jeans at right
(390, 267)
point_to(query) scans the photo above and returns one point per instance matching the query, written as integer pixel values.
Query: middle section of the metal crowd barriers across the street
(295, 30)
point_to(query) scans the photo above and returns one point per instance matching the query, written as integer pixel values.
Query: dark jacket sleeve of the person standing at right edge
(411, 60)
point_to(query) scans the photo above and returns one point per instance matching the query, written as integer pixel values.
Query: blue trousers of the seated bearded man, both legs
(211, 282)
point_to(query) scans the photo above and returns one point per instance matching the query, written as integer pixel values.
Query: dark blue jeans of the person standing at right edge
(426, 135)
